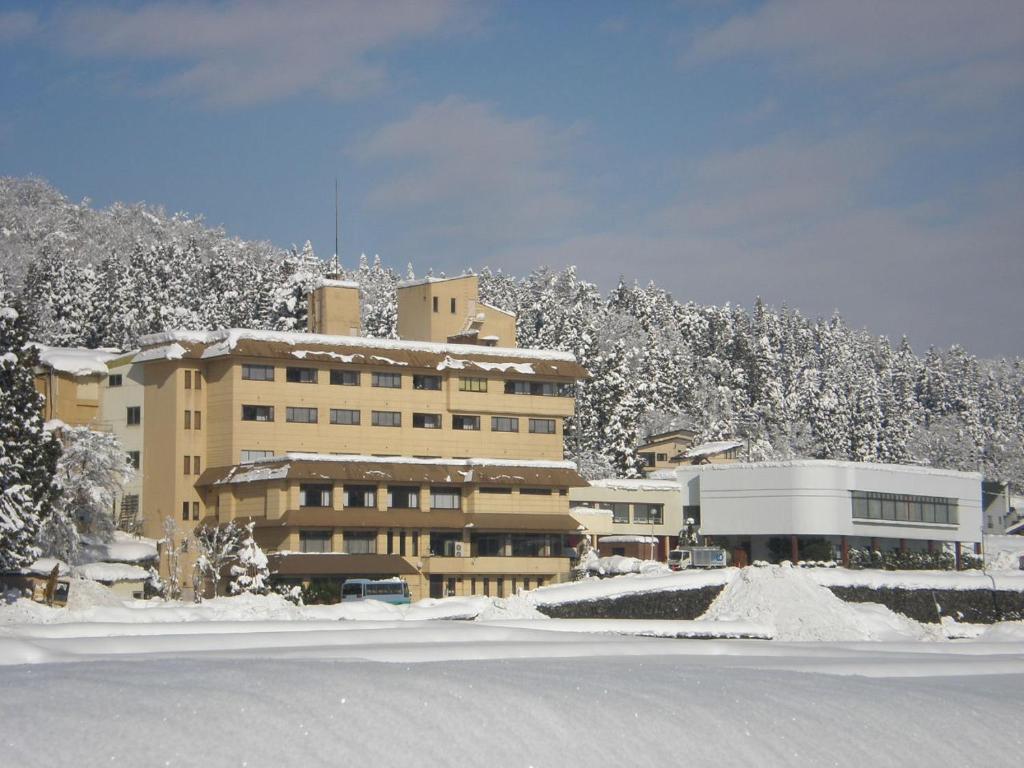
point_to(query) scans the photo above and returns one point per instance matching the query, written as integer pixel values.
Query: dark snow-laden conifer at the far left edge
(28, 453)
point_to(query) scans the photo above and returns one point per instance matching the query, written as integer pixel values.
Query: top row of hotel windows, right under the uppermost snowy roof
(297, 375)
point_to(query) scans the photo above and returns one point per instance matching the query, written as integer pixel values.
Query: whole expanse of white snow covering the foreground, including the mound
(259, 682)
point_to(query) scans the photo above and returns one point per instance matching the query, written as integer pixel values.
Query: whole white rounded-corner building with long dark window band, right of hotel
(847, 504)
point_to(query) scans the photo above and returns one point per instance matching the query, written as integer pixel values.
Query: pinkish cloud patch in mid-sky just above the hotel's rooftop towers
(474, 173)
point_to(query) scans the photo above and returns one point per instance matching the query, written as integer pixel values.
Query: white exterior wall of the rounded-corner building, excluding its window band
(814, 499)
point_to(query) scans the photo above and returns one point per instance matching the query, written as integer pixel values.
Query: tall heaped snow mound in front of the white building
(799, 609)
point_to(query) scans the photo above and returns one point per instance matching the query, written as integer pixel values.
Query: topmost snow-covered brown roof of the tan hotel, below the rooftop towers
(207, 345)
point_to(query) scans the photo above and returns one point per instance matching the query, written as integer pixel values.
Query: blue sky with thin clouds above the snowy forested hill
(866, 157)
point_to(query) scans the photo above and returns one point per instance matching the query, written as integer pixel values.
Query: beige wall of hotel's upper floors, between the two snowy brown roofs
(229, 436)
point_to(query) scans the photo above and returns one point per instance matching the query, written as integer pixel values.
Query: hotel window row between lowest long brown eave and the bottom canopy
(440, 543)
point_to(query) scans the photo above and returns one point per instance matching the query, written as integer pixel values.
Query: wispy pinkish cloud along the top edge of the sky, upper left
(248, 53)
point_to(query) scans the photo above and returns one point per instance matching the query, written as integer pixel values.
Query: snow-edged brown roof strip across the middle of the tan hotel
(397, 468)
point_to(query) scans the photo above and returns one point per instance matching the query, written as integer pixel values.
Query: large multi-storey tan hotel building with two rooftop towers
(437, 457)
